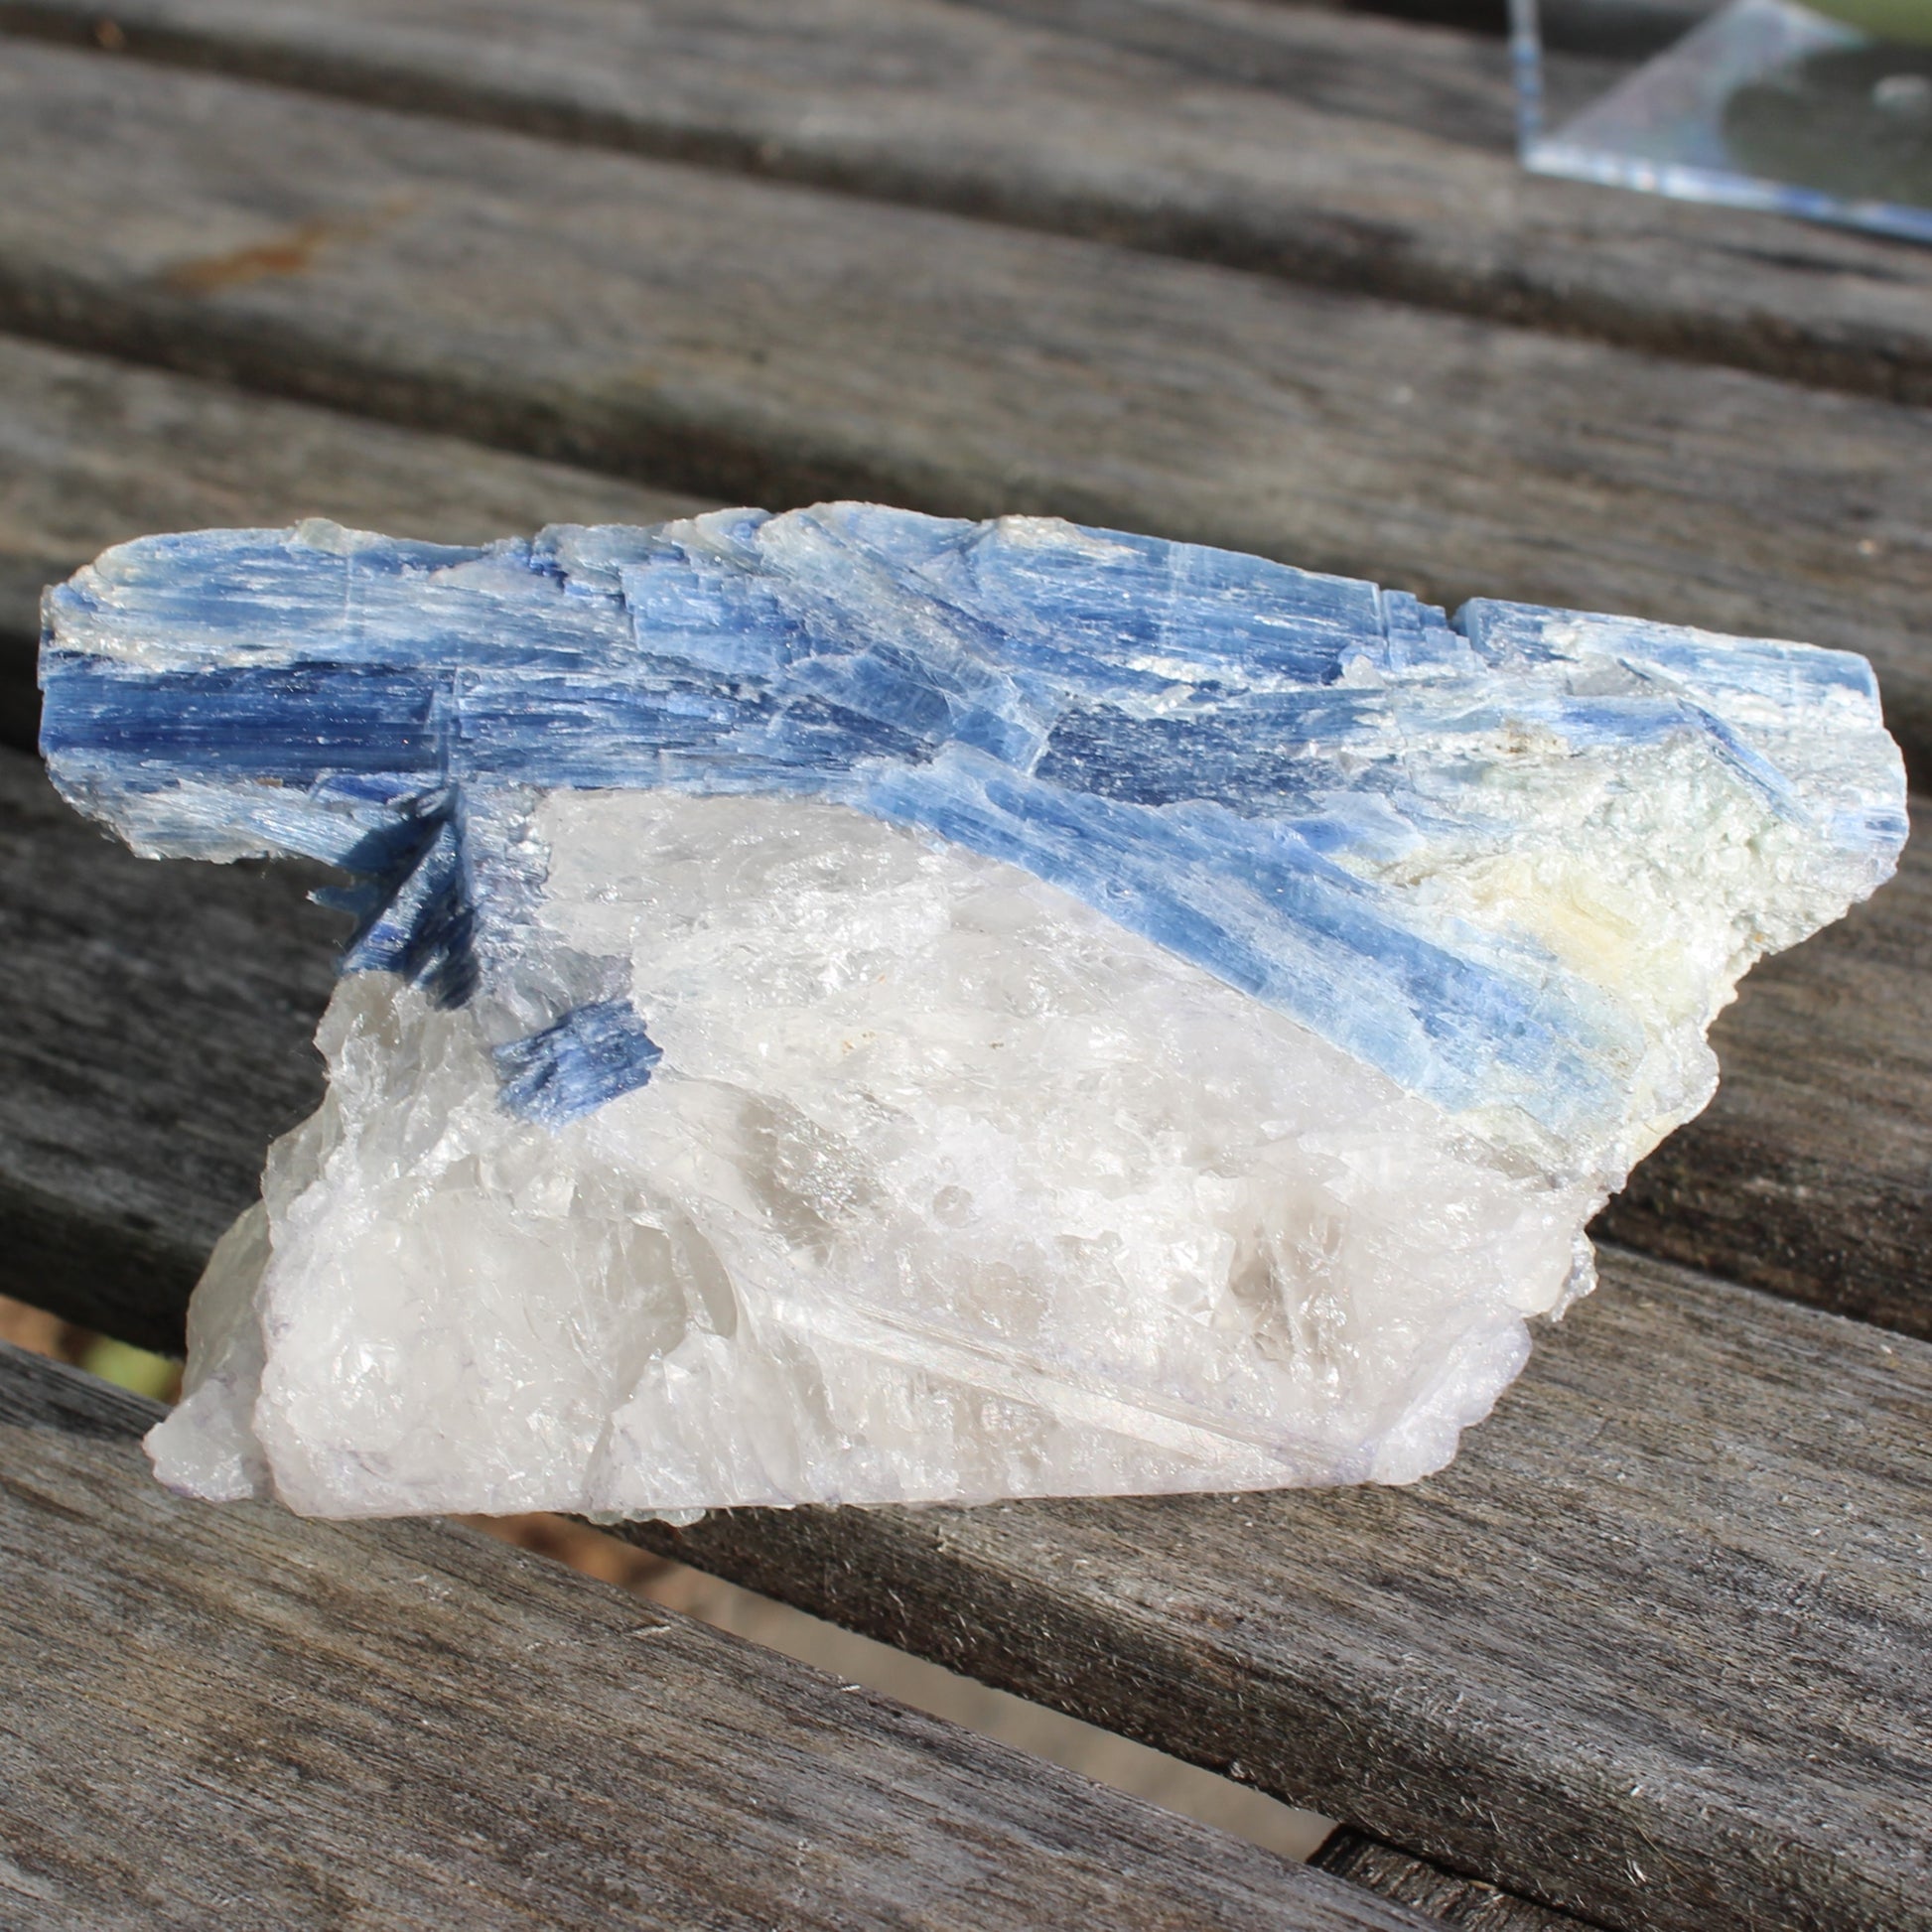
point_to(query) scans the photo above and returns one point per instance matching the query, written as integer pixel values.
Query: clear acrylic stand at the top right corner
(1763, 105)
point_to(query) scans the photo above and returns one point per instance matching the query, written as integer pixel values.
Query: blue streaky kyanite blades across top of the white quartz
(1222, 754)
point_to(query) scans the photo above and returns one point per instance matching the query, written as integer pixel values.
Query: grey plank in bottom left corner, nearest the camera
(231, 1717)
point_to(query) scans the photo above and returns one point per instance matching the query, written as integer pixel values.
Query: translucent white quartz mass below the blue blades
(950, 1191)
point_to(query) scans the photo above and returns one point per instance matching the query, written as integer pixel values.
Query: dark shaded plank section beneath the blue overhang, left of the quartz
(156, 1027)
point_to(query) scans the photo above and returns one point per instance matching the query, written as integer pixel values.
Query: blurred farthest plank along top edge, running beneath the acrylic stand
(1309, 144)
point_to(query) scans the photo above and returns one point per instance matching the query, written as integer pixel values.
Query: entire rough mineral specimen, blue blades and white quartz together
(861, 1008)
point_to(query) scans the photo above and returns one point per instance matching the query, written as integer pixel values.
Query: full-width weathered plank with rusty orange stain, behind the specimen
(778, 345)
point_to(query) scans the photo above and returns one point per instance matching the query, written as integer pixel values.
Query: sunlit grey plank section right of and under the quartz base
(1657, 1649)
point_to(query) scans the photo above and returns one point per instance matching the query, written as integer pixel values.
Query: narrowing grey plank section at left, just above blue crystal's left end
(94, 453)
